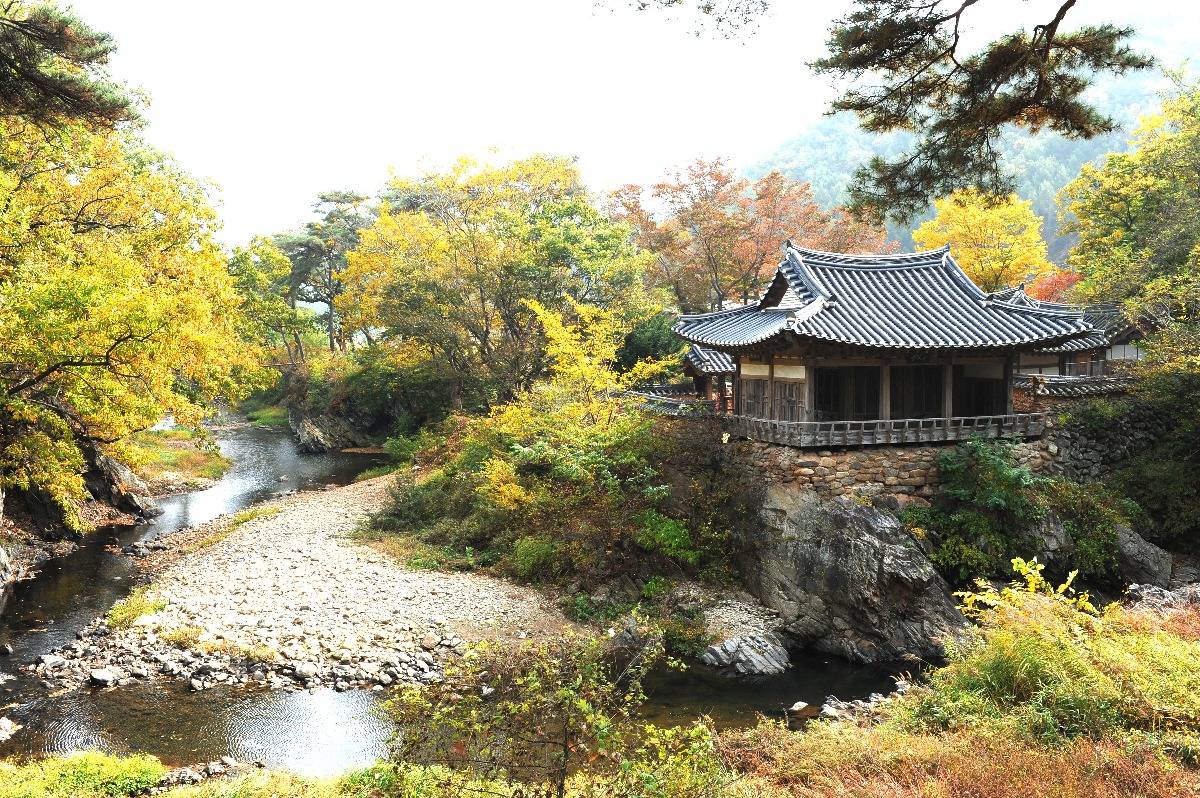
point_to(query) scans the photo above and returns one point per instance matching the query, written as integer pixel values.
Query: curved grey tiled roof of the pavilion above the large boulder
(920, 301)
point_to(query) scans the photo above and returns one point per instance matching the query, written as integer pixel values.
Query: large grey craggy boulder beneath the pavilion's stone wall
(847, 579)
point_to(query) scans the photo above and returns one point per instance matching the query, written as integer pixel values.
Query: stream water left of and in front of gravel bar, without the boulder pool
(173, 724)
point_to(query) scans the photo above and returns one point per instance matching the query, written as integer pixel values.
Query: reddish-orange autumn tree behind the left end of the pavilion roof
(717, 237)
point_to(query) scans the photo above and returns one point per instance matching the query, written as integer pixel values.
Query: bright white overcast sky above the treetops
(275, 101)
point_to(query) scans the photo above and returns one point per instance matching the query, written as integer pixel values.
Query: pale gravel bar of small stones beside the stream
(287, 601)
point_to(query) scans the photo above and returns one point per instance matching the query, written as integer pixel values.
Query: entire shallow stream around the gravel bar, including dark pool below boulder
(317, 733)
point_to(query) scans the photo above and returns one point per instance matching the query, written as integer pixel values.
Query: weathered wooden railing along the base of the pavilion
(821, 435)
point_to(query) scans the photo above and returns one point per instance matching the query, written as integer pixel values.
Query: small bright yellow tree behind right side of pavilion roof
(998, 244)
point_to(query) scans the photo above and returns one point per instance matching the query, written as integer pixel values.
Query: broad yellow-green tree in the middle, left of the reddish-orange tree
(452, 265)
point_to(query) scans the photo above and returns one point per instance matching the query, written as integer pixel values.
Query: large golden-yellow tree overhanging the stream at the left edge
(116, 307)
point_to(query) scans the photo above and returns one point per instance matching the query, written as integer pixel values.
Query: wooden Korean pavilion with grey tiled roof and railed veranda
(848, 350)
